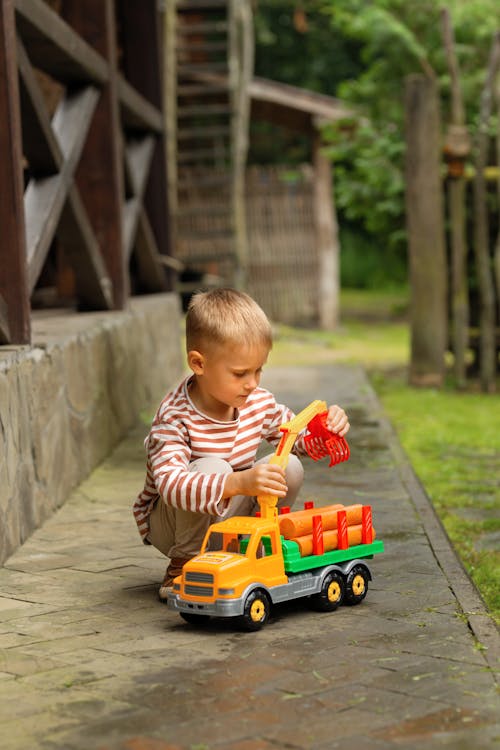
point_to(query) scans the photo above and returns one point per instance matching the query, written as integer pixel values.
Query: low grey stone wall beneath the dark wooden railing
(66, 401)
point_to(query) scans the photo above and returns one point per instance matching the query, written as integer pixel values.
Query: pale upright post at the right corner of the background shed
(326, 238)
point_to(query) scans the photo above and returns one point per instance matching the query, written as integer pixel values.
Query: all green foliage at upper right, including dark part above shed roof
(361, 51)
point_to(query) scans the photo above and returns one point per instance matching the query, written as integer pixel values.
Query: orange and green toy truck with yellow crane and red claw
(246, 564)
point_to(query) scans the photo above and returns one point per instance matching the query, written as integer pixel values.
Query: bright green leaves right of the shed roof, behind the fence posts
(396, 38)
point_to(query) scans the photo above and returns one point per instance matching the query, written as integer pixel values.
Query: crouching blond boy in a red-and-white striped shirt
(201, 450)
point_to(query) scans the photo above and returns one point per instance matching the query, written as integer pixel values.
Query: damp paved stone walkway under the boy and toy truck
(90, 659)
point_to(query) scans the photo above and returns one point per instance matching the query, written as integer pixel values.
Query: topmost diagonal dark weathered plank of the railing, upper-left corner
(55, 47)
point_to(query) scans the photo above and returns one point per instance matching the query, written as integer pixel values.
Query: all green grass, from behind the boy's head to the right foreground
(451, 438)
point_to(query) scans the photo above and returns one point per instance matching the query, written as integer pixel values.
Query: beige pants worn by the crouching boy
(179, 533)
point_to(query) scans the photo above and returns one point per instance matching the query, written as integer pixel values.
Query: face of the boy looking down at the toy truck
(225, 377)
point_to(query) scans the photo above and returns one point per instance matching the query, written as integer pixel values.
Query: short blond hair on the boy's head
(225, 316)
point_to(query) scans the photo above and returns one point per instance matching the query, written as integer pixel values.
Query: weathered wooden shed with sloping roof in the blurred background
(292, 225)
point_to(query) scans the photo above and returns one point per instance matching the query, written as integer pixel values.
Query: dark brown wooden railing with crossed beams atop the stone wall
(83, 196)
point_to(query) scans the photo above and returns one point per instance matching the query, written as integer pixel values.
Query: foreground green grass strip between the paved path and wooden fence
(453, 442)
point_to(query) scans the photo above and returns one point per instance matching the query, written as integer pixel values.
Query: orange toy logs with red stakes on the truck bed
(319, 530)
